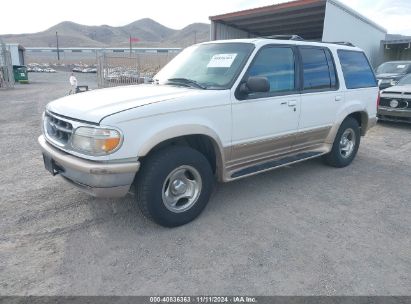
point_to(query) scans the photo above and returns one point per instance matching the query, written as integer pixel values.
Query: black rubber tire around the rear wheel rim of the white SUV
(336, 157)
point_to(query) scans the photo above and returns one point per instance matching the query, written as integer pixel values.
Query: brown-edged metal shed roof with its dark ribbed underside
(302, 17)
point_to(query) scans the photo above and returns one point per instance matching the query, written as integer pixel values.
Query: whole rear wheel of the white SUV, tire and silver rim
(346, 144)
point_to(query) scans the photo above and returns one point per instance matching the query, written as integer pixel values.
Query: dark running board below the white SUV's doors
(275, 163)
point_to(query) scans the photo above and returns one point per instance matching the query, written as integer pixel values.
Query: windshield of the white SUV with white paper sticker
(206, 66)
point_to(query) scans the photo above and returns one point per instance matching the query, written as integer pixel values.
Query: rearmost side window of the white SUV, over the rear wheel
(356, 69)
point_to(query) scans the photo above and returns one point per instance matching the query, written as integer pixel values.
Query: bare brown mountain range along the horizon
(150, 33)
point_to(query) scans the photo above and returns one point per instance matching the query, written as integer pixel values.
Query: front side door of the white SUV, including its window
(260, 118)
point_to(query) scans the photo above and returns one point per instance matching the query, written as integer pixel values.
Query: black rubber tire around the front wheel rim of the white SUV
(151, 181)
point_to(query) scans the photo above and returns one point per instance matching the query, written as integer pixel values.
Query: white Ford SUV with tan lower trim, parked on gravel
(220, 110)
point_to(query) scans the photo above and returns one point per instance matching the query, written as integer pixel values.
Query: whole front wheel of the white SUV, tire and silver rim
(174, 185)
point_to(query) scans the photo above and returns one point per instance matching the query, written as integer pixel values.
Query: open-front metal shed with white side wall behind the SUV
(324, 20)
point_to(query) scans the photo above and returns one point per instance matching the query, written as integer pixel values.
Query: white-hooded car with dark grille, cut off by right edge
(395, 103)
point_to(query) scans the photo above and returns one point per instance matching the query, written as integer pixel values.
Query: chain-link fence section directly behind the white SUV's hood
(127, 69)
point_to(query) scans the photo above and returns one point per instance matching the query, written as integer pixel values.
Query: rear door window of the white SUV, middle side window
(318, 69)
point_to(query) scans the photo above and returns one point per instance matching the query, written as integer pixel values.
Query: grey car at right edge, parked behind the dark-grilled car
(389, 73)
